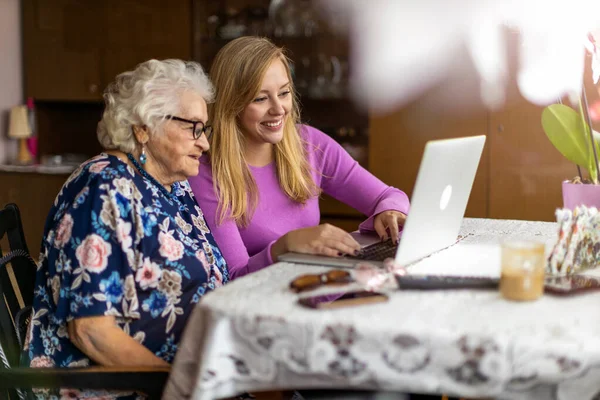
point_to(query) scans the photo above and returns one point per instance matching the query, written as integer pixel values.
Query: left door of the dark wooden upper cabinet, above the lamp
(61, 54)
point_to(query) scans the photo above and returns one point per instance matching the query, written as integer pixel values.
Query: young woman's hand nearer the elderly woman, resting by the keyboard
(324, 239)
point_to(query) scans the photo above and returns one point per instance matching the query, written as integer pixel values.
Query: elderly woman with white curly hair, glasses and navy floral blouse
(126, 252)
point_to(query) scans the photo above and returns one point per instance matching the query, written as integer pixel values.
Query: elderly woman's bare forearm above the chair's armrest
(104, 342)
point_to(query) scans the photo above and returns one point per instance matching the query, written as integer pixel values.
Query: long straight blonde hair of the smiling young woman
(237, 73)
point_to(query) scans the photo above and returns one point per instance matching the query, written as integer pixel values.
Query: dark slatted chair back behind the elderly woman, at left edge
(17, 281)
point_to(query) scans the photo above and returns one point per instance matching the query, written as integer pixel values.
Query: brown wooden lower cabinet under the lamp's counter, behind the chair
(34, 194)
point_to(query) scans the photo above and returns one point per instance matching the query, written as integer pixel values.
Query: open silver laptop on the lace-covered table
(438, 204)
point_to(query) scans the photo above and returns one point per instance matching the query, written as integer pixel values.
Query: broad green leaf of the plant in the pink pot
(568, 133)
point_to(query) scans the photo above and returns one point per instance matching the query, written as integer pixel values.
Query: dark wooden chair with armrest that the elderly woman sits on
(17, 280)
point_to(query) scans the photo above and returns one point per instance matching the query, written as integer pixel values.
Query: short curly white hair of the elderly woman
(144, 96)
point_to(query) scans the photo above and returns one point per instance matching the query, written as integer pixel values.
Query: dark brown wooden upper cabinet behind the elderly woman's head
(73, 48)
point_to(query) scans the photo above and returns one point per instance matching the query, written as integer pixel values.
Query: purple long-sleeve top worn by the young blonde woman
(248, 249)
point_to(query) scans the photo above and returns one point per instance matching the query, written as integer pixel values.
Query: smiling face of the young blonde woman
(262, 120)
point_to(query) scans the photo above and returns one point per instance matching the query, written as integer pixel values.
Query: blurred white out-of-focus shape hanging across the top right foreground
(401, 48)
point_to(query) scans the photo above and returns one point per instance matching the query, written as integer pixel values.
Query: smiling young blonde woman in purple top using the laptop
(267, 170)
